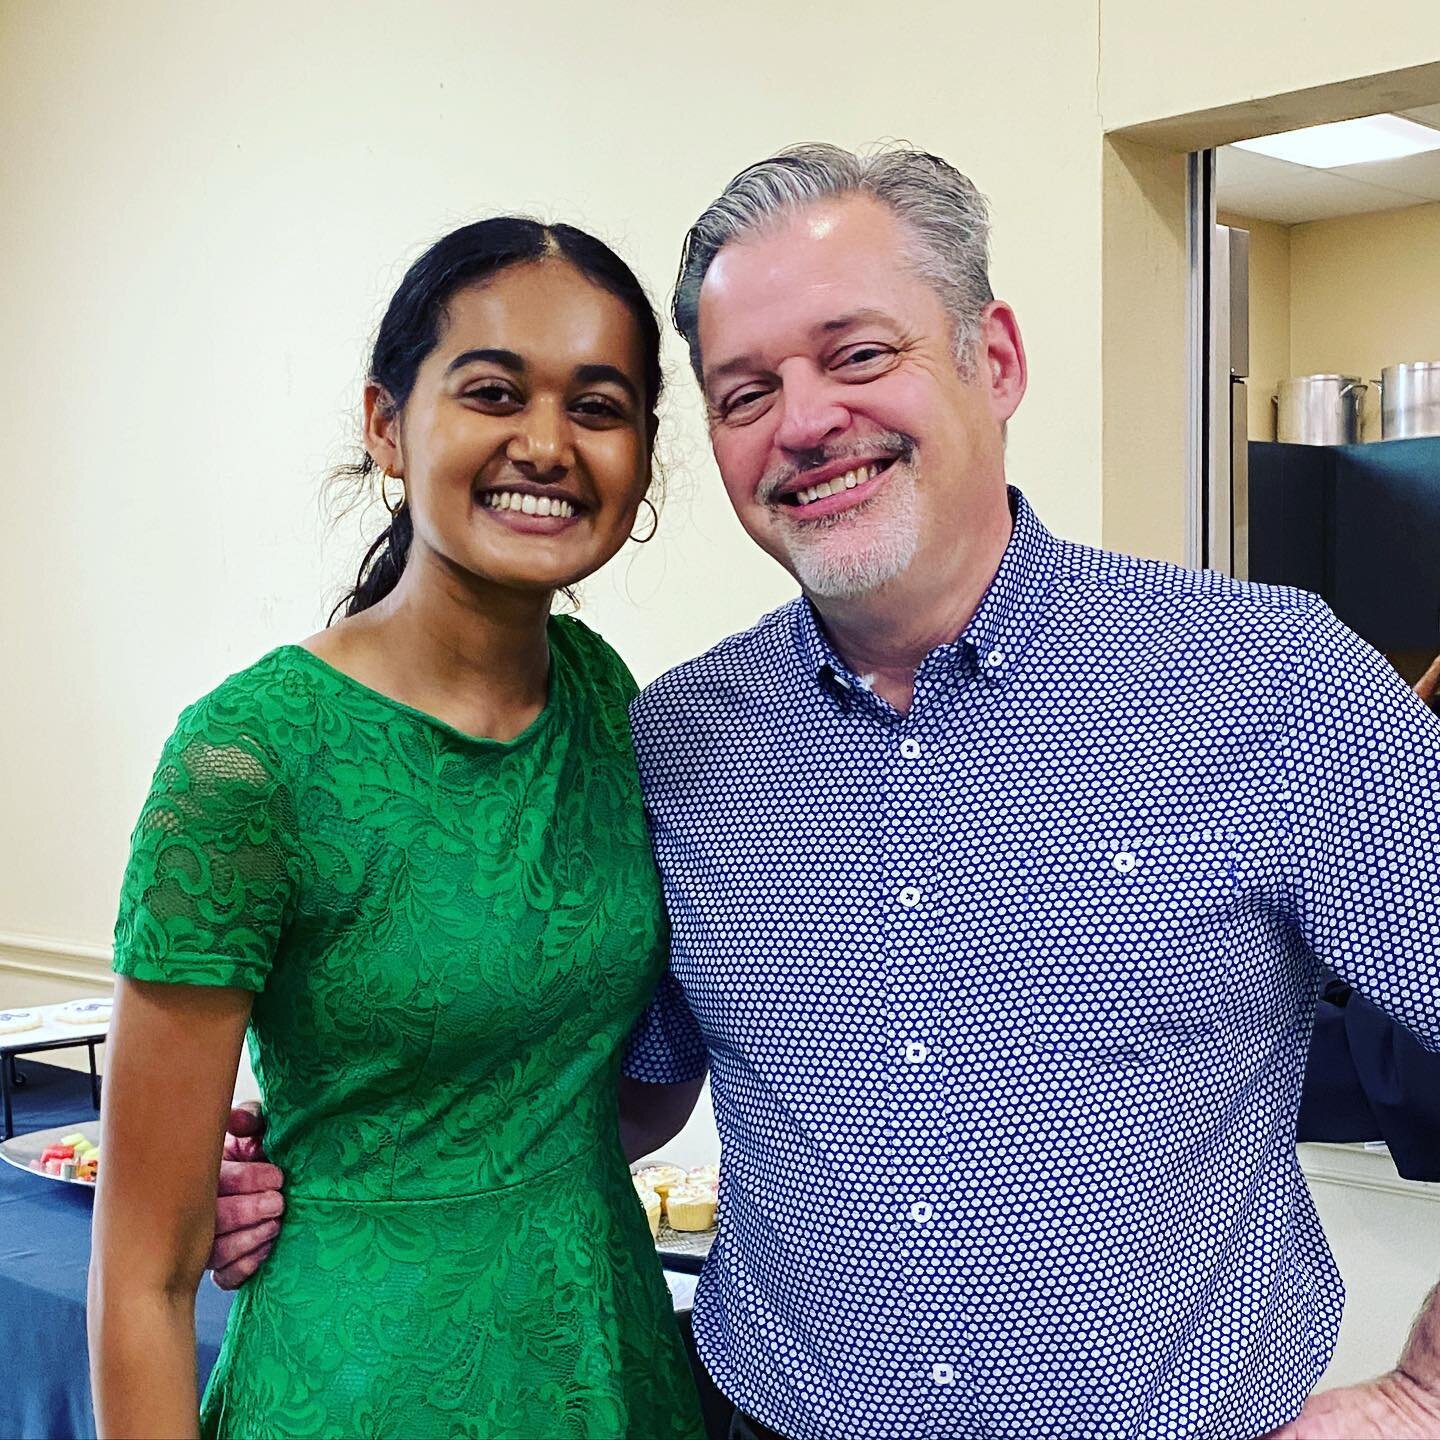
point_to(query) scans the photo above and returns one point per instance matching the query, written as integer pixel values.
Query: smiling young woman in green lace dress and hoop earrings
(410, 856)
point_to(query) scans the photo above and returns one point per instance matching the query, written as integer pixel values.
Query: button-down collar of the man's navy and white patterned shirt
(997, 634)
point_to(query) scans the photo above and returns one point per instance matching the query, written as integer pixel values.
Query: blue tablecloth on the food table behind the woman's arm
(44, 1256)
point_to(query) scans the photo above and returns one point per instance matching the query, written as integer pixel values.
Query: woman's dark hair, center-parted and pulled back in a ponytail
(413, 326)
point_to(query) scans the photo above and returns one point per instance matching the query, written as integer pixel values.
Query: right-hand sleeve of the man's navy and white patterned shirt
(1363, 778)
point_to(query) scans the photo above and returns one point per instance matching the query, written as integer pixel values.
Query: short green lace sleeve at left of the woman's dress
(212, 865)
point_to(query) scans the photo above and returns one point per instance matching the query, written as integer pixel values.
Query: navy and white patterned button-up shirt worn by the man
(1006, 1002)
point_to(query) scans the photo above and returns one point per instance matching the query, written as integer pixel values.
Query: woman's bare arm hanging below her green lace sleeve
(172, 1058)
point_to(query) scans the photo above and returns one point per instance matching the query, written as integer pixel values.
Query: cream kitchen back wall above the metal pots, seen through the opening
(1364, 294)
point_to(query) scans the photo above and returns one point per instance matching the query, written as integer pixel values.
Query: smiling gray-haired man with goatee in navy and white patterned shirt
(1002, 873)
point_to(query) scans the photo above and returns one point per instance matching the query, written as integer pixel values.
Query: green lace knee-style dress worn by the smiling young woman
(449, 941)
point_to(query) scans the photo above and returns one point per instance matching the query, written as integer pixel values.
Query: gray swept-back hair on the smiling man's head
(944, 212)
